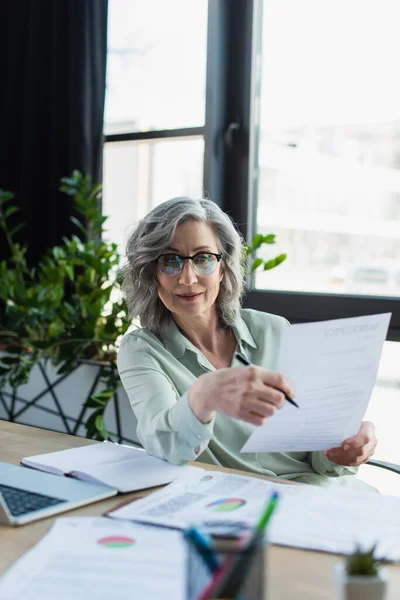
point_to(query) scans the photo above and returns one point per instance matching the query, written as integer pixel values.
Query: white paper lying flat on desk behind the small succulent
(336, 521)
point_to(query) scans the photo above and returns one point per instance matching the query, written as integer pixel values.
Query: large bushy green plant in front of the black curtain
(70, 306)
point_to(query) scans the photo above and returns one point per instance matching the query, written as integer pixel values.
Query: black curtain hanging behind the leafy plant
(52, 87)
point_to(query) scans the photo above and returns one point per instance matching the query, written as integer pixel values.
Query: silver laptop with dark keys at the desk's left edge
(27, 495)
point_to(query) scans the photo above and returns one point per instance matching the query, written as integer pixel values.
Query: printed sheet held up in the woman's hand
(332, 366)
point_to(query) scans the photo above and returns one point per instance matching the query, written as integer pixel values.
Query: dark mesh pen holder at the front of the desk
(245, 577)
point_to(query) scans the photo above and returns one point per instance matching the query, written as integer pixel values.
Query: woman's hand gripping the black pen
(251, 394)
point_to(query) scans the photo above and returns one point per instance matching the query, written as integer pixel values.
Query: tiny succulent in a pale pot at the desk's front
(361, 576)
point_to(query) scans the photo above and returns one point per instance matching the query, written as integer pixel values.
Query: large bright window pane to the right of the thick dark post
(328, 160)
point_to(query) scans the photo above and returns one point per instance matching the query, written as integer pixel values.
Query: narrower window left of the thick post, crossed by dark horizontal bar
(155, 107)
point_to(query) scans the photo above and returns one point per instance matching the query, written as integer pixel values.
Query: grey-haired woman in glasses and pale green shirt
(191, 397)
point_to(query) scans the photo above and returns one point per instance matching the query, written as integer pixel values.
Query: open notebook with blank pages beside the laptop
(121, 467)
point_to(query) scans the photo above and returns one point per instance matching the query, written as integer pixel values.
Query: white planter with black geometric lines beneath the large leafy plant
(52, 402)
